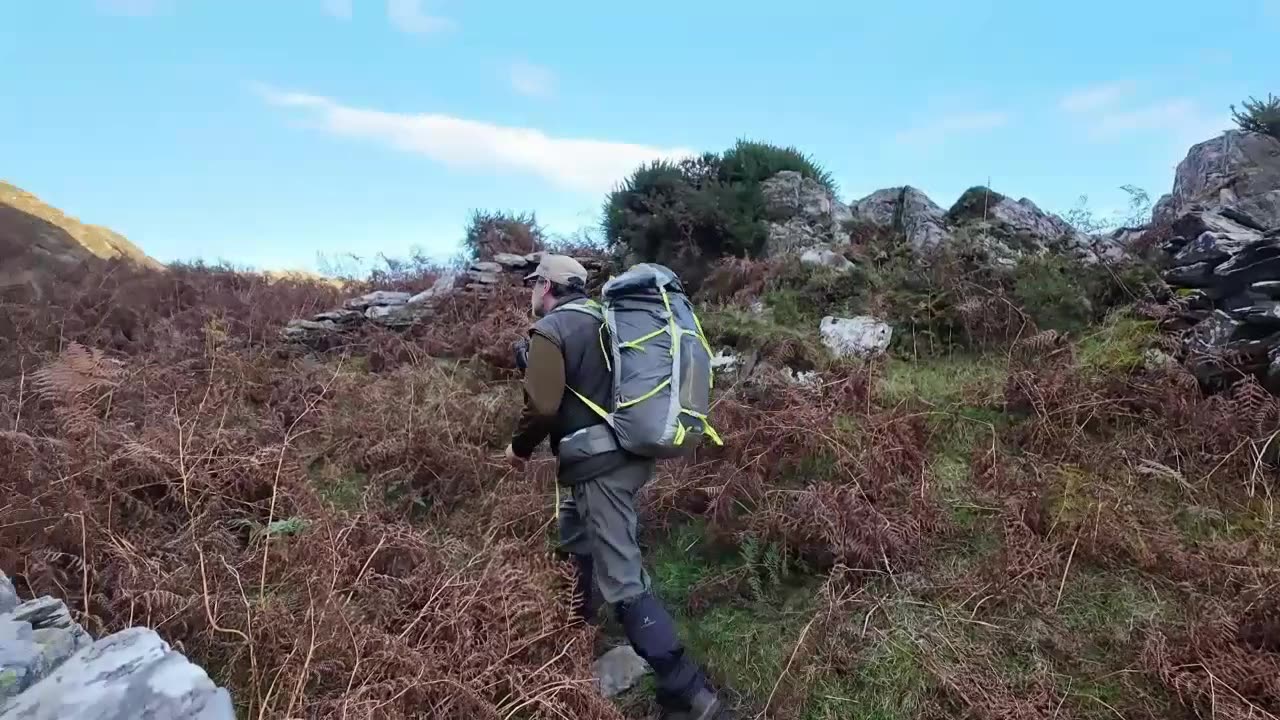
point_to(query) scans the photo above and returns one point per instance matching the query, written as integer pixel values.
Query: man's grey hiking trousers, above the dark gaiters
(598, 518)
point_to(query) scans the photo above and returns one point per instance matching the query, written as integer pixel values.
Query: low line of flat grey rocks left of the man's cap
(401, 311)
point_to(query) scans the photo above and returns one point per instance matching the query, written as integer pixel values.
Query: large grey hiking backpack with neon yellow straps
(661, 362)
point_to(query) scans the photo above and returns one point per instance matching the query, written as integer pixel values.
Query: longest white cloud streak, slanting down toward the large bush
(580, 165)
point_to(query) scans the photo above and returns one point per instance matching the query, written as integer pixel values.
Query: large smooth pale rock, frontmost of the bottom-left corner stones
(129, 675)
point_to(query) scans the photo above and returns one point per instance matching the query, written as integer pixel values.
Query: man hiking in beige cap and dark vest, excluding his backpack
(598, 514)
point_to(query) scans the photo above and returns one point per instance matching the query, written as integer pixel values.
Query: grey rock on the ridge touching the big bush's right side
(802, 213)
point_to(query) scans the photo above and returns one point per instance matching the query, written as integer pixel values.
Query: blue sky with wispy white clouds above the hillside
(269, 133)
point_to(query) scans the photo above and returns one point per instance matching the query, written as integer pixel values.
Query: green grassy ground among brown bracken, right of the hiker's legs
(936, 640)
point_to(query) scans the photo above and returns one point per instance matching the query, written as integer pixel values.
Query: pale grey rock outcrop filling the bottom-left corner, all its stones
(52, 669)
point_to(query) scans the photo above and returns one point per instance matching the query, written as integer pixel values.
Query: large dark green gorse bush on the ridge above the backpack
(691, 213)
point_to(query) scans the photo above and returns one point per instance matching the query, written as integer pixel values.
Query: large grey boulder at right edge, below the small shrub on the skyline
(1237, 172)
